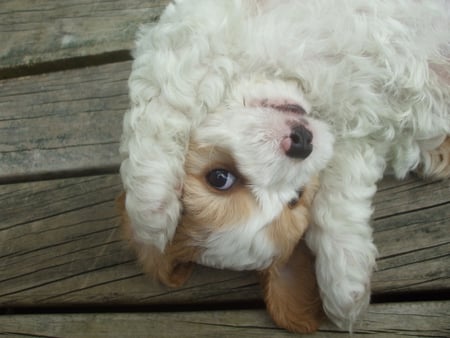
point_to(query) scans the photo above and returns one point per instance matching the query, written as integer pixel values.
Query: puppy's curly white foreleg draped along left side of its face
(164, 107)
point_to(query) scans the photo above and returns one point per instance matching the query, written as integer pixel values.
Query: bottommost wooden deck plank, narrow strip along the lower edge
(427, 319)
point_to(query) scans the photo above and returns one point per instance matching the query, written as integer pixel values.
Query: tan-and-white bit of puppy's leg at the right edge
(435, 163)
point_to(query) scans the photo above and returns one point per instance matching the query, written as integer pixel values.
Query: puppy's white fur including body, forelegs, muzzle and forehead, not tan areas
(373, 76)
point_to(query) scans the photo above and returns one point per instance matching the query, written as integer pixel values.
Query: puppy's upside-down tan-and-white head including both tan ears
(249, 184)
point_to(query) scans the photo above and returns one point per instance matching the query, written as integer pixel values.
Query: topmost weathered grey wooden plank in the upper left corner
(45, 31)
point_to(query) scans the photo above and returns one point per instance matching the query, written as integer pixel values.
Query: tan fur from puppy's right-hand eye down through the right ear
(290, 287)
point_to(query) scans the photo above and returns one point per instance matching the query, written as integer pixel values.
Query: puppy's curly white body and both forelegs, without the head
(377, 72)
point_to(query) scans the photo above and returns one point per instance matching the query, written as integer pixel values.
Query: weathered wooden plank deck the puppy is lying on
(64, 269)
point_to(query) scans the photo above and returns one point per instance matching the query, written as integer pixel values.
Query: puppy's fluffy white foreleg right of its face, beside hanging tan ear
(341, 239)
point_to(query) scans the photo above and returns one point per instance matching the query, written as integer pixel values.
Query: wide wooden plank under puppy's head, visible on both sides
(61, 245)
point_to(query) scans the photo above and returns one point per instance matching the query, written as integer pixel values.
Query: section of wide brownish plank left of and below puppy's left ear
(61, 244)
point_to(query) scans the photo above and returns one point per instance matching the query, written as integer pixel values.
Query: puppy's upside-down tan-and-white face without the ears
(251, 175)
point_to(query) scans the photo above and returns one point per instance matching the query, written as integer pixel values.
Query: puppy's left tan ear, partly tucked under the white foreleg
(169, 267)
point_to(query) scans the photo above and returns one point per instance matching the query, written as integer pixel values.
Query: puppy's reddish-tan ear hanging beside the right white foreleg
(291, 292)
